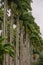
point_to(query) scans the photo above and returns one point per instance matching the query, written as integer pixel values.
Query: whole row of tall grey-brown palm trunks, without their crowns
(22, 47)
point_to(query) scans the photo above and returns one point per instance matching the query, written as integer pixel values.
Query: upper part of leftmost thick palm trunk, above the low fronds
(5, 19)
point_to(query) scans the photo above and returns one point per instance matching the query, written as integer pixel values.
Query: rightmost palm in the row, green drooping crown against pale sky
(32, 30)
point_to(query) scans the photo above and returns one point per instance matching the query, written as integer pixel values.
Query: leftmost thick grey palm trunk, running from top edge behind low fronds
(4, 23)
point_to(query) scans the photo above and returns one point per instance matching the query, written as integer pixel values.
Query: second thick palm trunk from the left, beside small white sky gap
(11, 36)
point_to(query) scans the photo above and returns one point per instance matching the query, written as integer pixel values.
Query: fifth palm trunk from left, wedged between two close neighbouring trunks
(24, 51)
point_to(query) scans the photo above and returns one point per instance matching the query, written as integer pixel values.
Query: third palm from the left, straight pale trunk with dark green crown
(19, 8)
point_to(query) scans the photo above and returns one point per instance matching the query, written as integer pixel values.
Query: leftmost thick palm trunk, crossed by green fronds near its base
(4, 28)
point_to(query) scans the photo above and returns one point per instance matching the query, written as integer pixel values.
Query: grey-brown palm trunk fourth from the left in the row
(21, 46)
